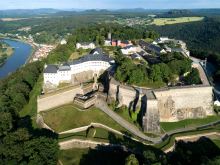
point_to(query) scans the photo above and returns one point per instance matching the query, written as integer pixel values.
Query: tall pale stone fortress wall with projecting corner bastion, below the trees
(165, 105)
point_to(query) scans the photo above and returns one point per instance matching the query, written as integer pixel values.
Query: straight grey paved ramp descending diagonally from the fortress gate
(130, 127)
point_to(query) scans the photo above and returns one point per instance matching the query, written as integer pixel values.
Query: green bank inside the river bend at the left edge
(5, 51)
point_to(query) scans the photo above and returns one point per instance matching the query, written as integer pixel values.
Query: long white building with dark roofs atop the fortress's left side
(96, 62)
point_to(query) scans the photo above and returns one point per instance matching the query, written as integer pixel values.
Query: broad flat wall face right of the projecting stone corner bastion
(184, 103)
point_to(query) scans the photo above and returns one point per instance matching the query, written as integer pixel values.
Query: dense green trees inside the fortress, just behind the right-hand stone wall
(172, 66)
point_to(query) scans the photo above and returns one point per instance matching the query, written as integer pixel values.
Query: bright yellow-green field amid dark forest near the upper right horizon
(169, 21)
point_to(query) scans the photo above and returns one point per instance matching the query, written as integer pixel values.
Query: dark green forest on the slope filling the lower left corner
(20, 143)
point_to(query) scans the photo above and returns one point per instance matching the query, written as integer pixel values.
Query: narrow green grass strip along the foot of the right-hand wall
(169, 126)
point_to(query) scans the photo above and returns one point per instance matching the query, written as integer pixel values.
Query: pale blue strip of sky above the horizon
(108, 4)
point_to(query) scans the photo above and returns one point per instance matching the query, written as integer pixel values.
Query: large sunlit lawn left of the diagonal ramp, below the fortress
(69, 117)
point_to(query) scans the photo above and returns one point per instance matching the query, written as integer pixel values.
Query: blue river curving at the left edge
(21, 53)
